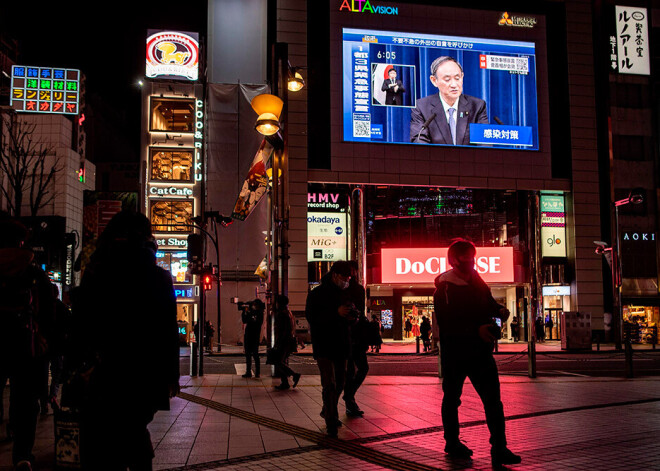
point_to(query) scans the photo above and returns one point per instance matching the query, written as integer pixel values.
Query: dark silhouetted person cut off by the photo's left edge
(27, 313)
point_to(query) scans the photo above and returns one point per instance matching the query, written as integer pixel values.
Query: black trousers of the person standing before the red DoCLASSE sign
(480, 367)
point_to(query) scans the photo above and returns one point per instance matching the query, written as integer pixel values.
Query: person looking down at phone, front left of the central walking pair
(330, 312)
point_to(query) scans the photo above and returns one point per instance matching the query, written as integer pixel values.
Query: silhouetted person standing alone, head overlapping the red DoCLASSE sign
(464, 309)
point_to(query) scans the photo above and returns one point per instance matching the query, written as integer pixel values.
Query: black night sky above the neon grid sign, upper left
(105, 40)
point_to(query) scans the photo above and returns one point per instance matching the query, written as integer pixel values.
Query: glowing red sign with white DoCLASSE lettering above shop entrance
(494, 264)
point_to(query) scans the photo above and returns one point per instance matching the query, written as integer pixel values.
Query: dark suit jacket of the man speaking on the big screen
(470, 110)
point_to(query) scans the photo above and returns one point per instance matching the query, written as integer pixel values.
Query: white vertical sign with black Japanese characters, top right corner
(632, 41)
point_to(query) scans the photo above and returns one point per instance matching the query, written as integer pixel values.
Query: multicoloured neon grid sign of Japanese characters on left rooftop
(45, 89)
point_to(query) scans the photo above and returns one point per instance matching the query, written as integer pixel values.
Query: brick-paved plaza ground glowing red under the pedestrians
(231, 423)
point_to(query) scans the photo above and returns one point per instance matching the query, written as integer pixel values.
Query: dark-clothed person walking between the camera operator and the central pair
(285, 342)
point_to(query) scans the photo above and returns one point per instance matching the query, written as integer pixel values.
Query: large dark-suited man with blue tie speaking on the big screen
(444, 118)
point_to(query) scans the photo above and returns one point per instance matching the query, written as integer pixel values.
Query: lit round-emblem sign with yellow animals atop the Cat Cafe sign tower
(173, 55)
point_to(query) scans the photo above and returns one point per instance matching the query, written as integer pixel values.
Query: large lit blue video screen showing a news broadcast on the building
(482, 93)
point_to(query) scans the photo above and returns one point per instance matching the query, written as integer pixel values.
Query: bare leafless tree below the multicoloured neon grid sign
(26, 166)
